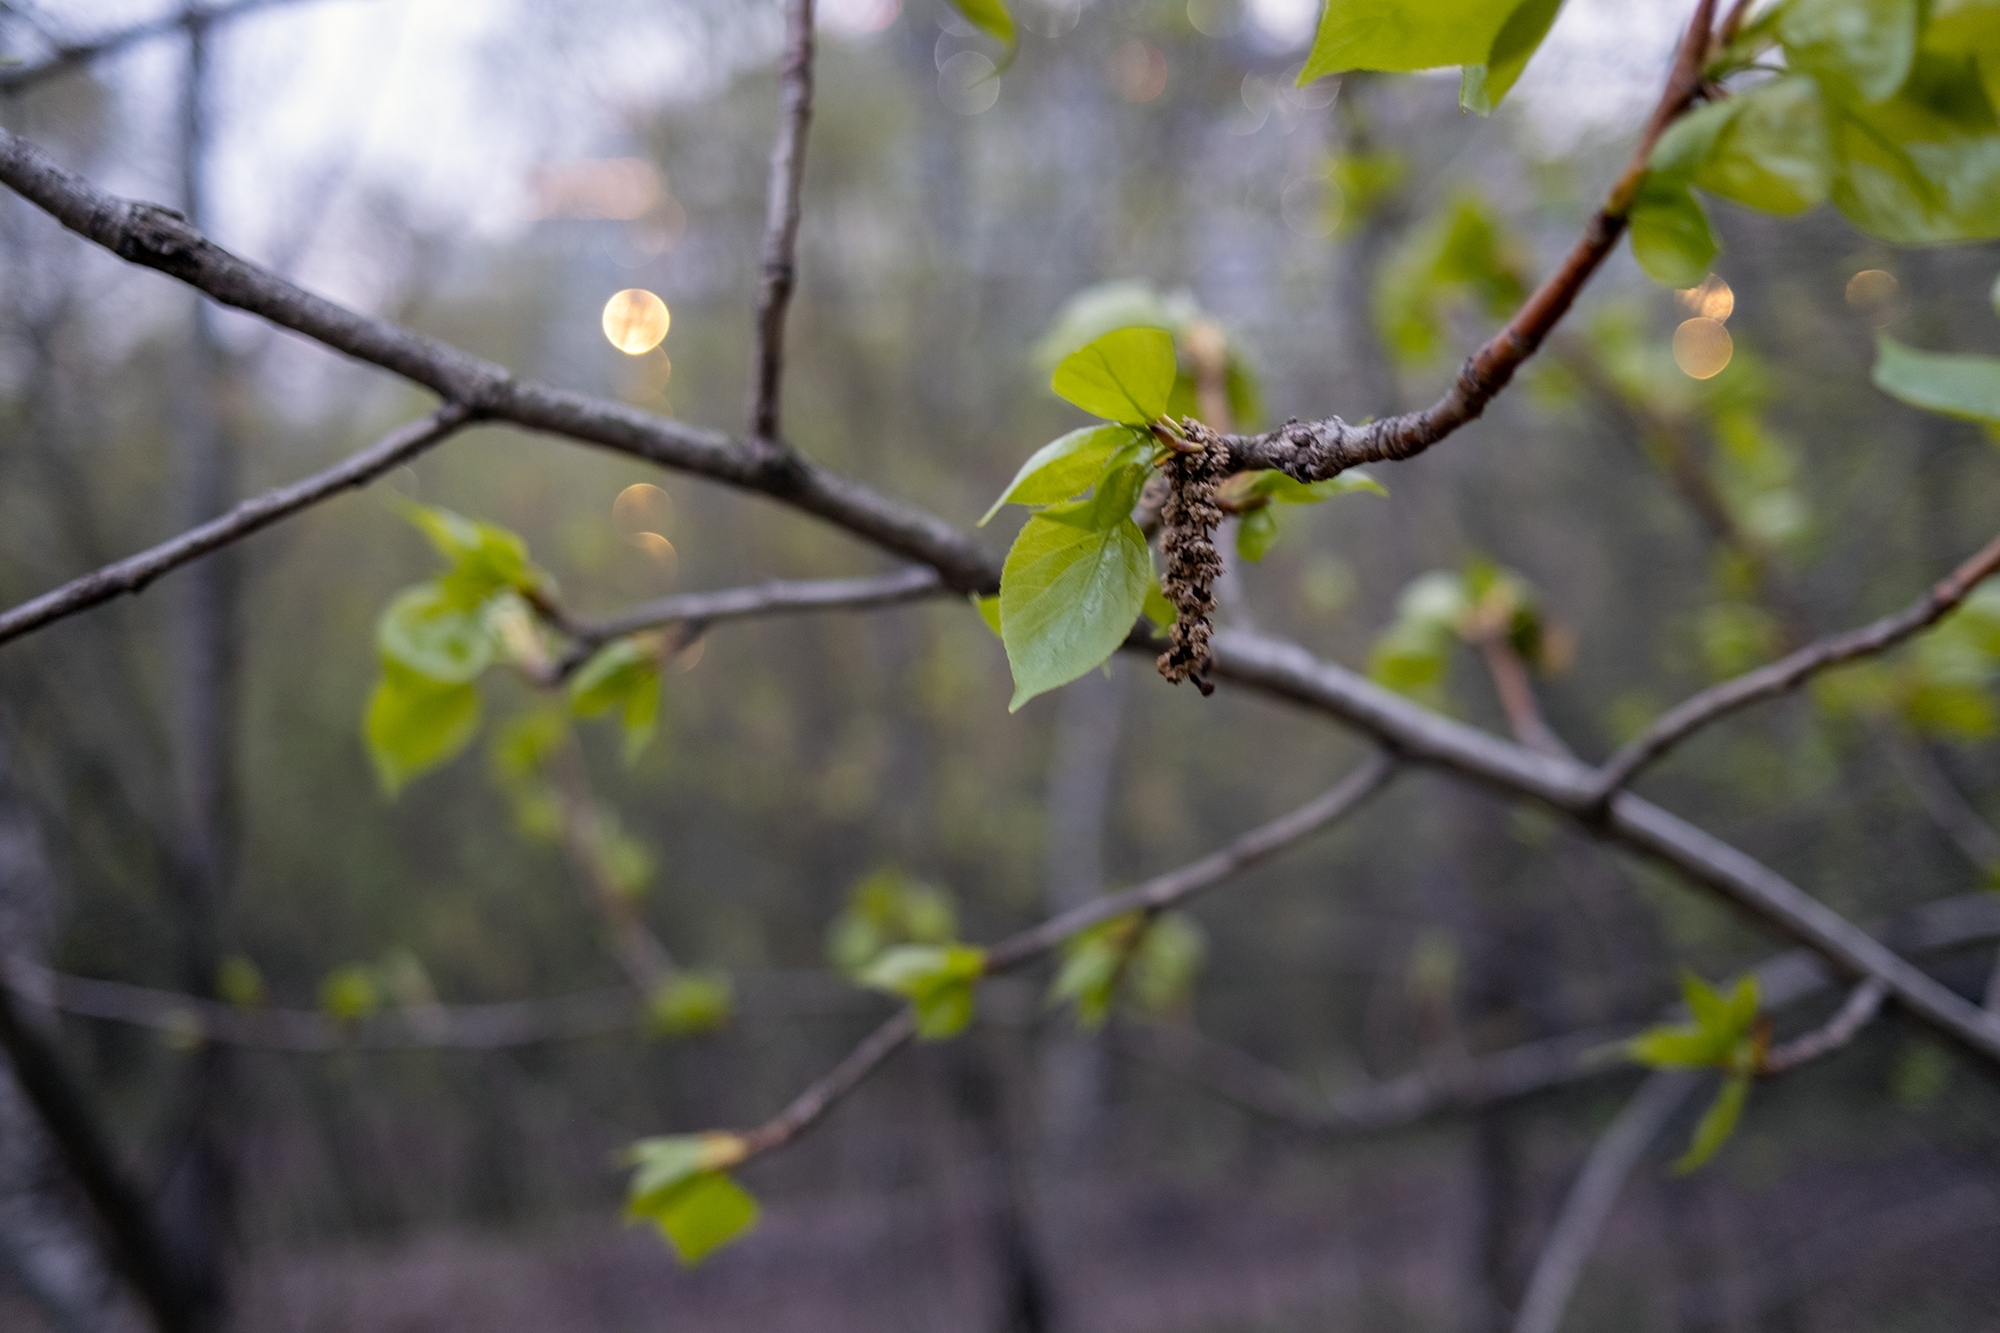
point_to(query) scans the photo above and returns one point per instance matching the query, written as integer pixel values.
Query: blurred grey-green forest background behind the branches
(187, 806)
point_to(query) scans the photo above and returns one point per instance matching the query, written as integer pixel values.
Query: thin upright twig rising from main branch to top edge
(781, 223)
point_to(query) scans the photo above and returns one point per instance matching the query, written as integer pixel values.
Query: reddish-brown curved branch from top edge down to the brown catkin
(1321, 449)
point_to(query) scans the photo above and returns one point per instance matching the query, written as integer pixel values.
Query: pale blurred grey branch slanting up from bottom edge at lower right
(1589, 1204)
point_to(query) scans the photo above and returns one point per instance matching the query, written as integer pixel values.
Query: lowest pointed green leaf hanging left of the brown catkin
(1069, 597)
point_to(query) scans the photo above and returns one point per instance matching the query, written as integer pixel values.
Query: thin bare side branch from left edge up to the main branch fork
(135, 573)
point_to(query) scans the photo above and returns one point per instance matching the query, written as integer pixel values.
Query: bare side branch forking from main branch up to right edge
(1793, 672)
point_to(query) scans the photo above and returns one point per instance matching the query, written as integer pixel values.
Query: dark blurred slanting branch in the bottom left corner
(139, 1248)
